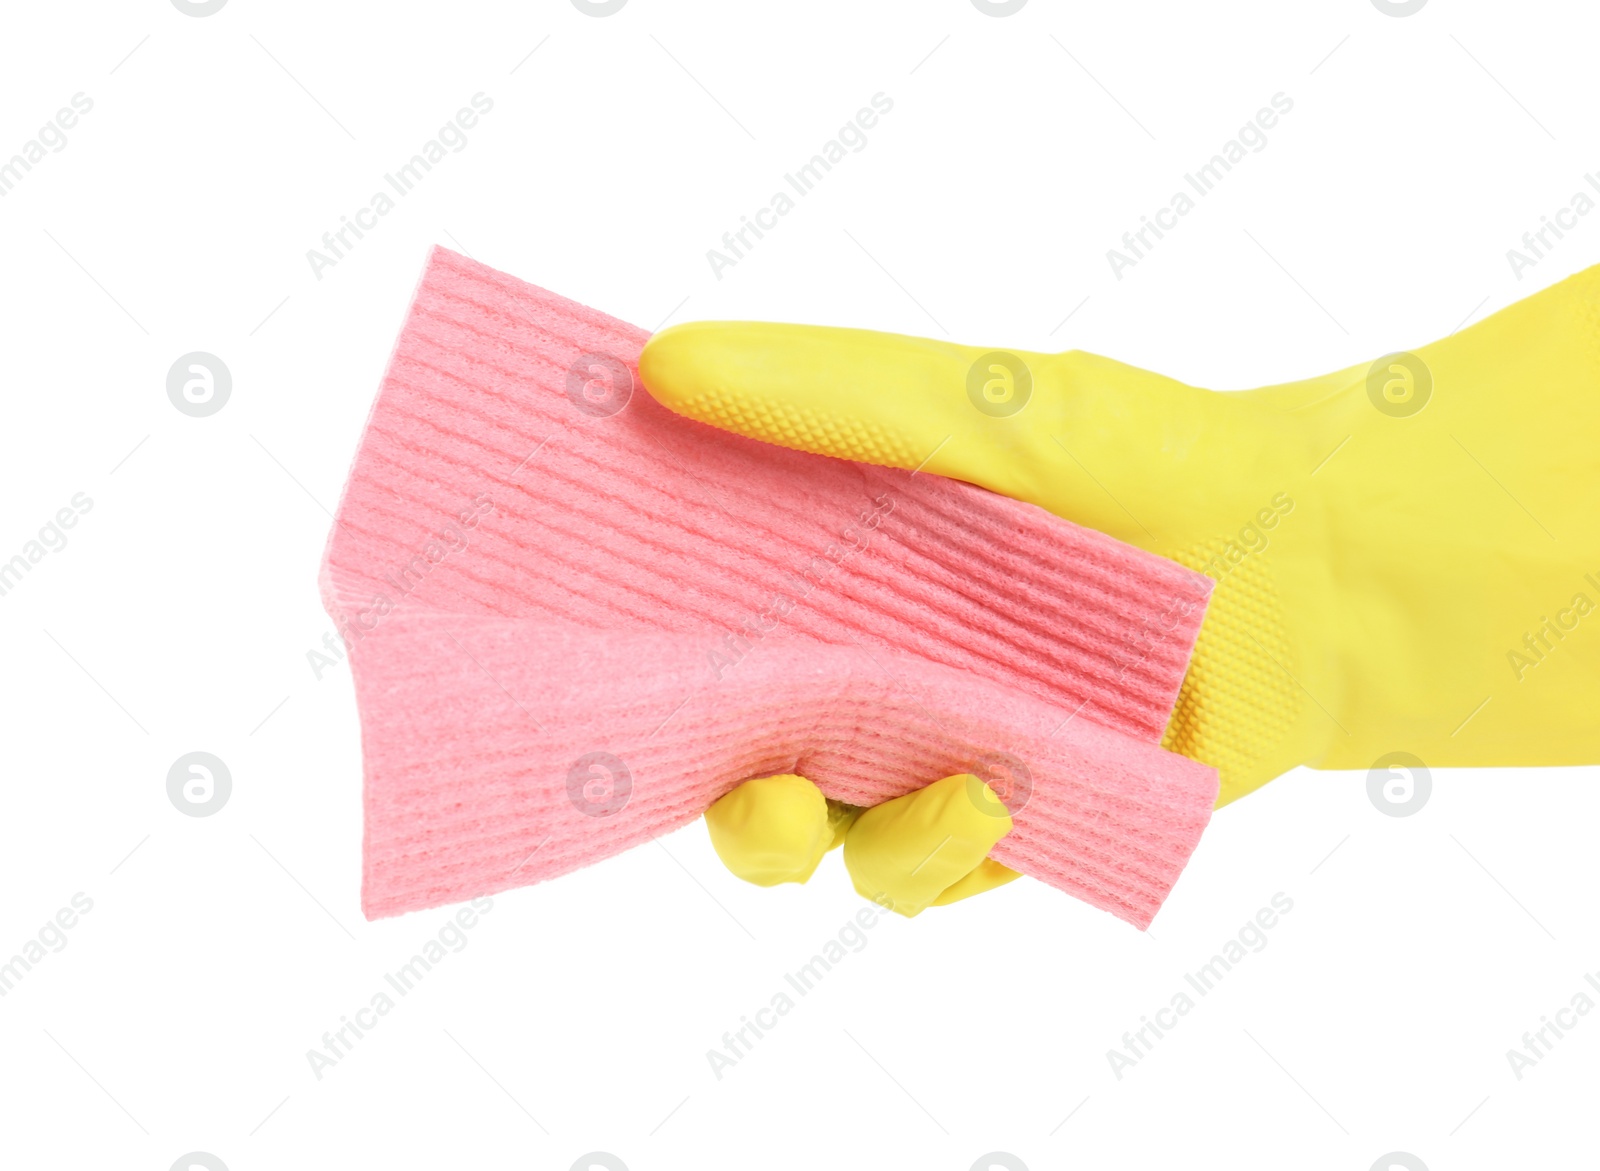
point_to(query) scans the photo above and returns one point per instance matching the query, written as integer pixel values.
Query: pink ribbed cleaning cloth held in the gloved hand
(577, 620)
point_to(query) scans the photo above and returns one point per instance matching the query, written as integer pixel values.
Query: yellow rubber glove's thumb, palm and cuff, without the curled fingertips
(1407, 553)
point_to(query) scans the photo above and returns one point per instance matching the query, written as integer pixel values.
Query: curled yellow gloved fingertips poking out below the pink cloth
(921, 850)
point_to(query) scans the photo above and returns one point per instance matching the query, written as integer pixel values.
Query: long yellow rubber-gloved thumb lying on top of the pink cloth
(1086, 438)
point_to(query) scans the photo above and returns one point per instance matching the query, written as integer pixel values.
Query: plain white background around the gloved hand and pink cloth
(1020, 150)
